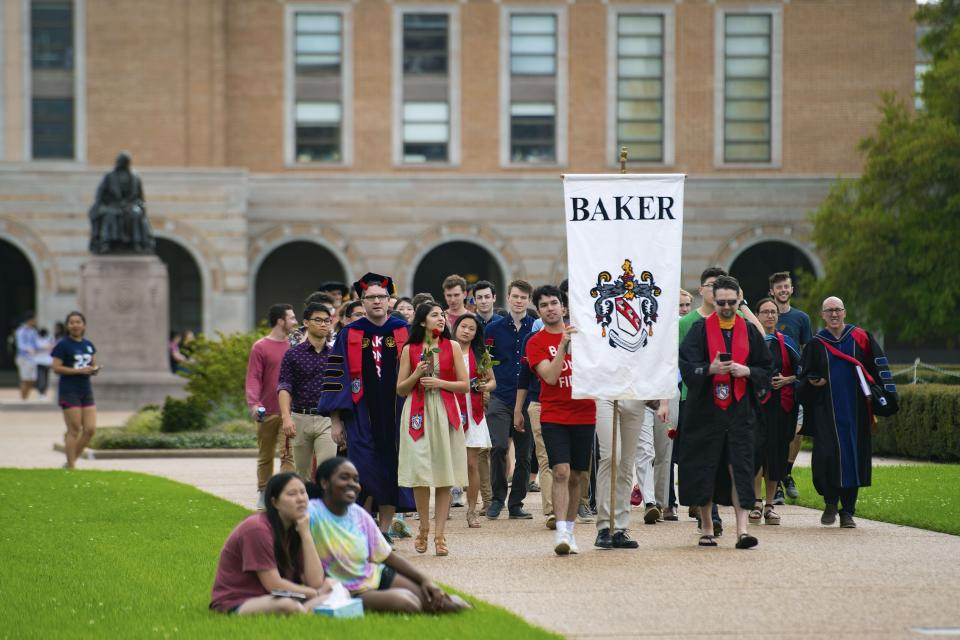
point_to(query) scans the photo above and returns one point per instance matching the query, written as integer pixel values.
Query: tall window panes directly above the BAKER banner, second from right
(640, 86)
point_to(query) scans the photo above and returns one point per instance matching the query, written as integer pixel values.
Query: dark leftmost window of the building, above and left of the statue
(52, 80)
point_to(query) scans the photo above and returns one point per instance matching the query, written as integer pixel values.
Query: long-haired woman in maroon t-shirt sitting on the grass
(271, 551)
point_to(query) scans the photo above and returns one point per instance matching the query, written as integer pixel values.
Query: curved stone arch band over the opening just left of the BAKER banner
(499, 248)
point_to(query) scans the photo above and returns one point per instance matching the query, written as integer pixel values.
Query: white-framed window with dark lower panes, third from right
(535, 82)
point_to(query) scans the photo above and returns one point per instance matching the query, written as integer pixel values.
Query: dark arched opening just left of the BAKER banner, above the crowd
(467, 259)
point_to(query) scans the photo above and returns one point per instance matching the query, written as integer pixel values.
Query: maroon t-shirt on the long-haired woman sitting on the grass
(248, 549)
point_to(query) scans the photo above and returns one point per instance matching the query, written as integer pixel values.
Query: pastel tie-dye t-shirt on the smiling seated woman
(350, 546)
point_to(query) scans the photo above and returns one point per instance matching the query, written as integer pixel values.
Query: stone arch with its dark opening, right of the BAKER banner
(799, 255)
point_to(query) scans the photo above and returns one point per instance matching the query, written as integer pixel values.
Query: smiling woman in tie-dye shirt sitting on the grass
(355, 553)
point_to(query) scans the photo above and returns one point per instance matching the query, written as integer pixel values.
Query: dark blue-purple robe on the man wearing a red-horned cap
(373, 424)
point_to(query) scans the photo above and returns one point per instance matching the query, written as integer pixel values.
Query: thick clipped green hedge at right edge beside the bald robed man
(927, 425)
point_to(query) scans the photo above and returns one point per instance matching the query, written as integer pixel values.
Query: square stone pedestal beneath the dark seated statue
(126, 302)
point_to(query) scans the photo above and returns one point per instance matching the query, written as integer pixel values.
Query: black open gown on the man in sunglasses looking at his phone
(712, 438)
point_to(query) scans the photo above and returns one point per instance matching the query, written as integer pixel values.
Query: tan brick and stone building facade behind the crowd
(284, 143)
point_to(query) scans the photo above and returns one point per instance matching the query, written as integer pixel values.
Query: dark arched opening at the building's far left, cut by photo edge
(18, 294)
